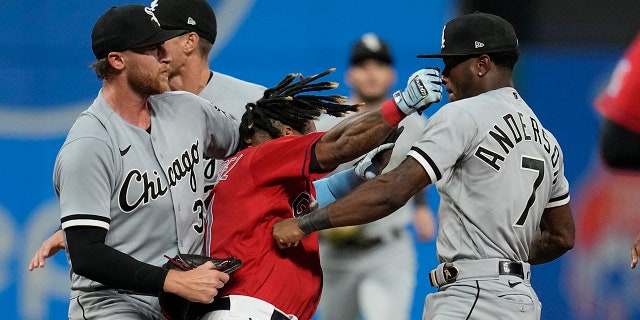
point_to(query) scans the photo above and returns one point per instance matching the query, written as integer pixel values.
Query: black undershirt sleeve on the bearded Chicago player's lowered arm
(93, 259)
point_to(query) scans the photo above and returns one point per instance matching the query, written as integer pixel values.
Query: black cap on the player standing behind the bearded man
(191, 15)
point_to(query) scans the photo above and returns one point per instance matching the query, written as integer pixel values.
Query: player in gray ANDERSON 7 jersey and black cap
(500, 175)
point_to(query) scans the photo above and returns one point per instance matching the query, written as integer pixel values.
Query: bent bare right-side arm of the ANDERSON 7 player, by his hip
(557, 235)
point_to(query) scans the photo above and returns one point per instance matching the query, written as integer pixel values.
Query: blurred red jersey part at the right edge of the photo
(619, 102)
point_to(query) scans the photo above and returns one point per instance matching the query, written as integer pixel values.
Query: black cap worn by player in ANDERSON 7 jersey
(474, 34)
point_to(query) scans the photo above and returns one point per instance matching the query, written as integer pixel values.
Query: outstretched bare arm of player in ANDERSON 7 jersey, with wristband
(371, 201)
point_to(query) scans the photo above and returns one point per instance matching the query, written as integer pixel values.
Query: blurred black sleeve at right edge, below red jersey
(619, 147)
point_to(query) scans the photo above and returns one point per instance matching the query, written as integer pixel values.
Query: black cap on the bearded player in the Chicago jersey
(127, 27)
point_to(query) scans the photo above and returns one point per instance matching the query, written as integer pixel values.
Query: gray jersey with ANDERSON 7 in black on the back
(496, 169)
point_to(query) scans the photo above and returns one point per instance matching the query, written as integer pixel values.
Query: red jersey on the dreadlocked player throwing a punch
(258, 187)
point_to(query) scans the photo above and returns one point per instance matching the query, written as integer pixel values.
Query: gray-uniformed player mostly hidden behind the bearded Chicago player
(189, 72)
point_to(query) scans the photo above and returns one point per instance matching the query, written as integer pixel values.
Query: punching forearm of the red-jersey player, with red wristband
(356, 135)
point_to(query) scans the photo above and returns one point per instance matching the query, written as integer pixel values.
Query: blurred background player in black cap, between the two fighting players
(355, 260)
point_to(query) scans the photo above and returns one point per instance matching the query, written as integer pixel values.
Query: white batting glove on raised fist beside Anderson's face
(423, 88)
